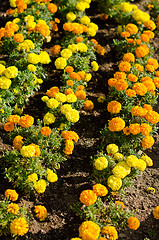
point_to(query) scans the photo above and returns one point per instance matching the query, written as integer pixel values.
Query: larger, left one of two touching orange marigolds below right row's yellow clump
(88, 197)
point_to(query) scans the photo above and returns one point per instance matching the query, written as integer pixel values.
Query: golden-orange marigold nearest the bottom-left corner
(19, 226)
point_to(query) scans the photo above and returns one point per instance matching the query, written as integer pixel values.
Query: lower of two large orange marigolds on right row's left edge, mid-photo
(116, 124)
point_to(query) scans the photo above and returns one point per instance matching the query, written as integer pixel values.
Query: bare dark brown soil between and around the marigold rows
(74, 174)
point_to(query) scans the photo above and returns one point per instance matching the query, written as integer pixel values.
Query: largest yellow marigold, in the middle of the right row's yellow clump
(121, 169)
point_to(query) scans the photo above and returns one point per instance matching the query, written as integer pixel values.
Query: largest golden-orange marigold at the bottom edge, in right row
(89, 230)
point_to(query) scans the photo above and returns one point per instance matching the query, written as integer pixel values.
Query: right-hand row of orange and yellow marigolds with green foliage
(132, 93)
